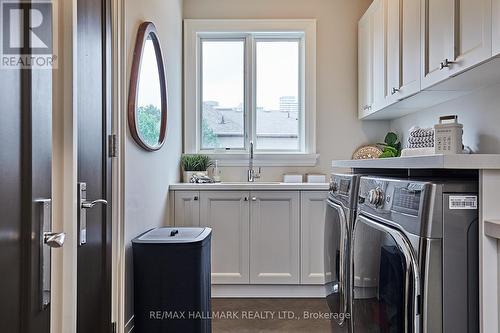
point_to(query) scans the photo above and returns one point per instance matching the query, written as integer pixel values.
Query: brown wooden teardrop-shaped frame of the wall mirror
(146, 29)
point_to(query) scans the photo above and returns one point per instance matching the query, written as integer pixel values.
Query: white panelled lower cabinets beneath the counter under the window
(259, 237)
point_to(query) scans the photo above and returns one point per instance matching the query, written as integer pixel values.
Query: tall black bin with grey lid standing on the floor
(172, 280)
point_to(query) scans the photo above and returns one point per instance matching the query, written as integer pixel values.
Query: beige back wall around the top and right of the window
(339, 132)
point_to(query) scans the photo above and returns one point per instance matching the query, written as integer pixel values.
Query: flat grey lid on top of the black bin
(173, 235)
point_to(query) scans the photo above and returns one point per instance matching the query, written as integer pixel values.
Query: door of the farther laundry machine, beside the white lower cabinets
(336, 261)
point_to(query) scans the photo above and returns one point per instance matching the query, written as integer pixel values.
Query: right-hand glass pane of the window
(278, 110)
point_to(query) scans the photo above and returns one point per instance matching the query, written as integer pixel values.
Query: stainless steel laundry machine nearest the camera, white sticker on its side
(415, 257)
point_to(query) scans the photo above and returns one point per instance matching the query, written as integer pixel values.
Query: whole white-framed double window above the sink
(250, 81)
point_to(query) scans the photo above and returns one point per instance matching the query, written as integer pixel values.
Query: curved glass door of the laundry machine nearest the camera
(386, 281)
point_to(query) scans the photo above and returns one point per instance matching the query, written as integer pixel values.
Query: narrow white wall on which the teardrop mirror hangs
(147, 175)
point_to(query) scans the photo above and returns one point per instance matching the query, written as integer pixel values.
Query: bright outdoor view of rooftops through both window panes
(277, 94)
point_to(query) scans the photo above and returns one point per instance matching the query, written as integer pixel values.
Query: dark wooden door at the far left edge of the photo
(25, 180)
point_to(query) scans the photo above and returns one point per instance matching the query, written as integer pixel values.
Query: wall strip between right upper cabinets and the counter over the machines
(479, 112)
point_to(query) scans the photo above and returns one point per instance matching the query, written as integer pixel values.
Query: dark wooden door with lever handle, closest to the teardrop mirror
(94, 256)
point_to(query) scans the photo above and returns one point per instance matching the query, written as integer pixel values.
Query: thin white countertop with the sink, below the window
(266, 186)
